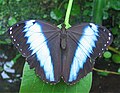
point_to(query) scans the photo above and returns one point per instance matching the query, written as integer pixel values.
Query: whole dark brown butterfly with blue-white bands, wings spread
(60, 53)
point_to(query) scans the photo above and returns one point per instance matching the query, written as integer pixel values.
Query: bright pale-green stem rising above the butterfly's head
(66, 22)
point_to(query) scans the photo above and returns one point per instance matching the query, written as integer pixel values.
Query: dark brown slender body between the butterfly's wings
(63, 38)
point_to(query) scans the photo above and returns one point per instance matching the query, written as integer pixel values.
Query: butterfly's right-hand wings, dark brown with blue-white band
(85, 42)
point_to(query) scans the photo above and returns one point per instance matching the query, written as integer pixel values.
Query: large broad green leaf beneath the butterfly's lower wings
(32, 84)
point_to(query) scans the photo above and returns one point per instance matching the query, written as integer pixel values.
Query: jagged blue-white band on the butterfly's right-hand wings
(85, 47)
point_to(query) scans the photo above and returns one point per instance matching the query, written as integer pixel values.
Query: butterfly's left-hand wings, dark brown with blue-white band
(39, 42)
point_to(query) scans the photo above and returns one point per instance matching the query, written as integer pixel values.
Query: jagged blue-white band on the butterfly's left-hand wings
(37, 42)
